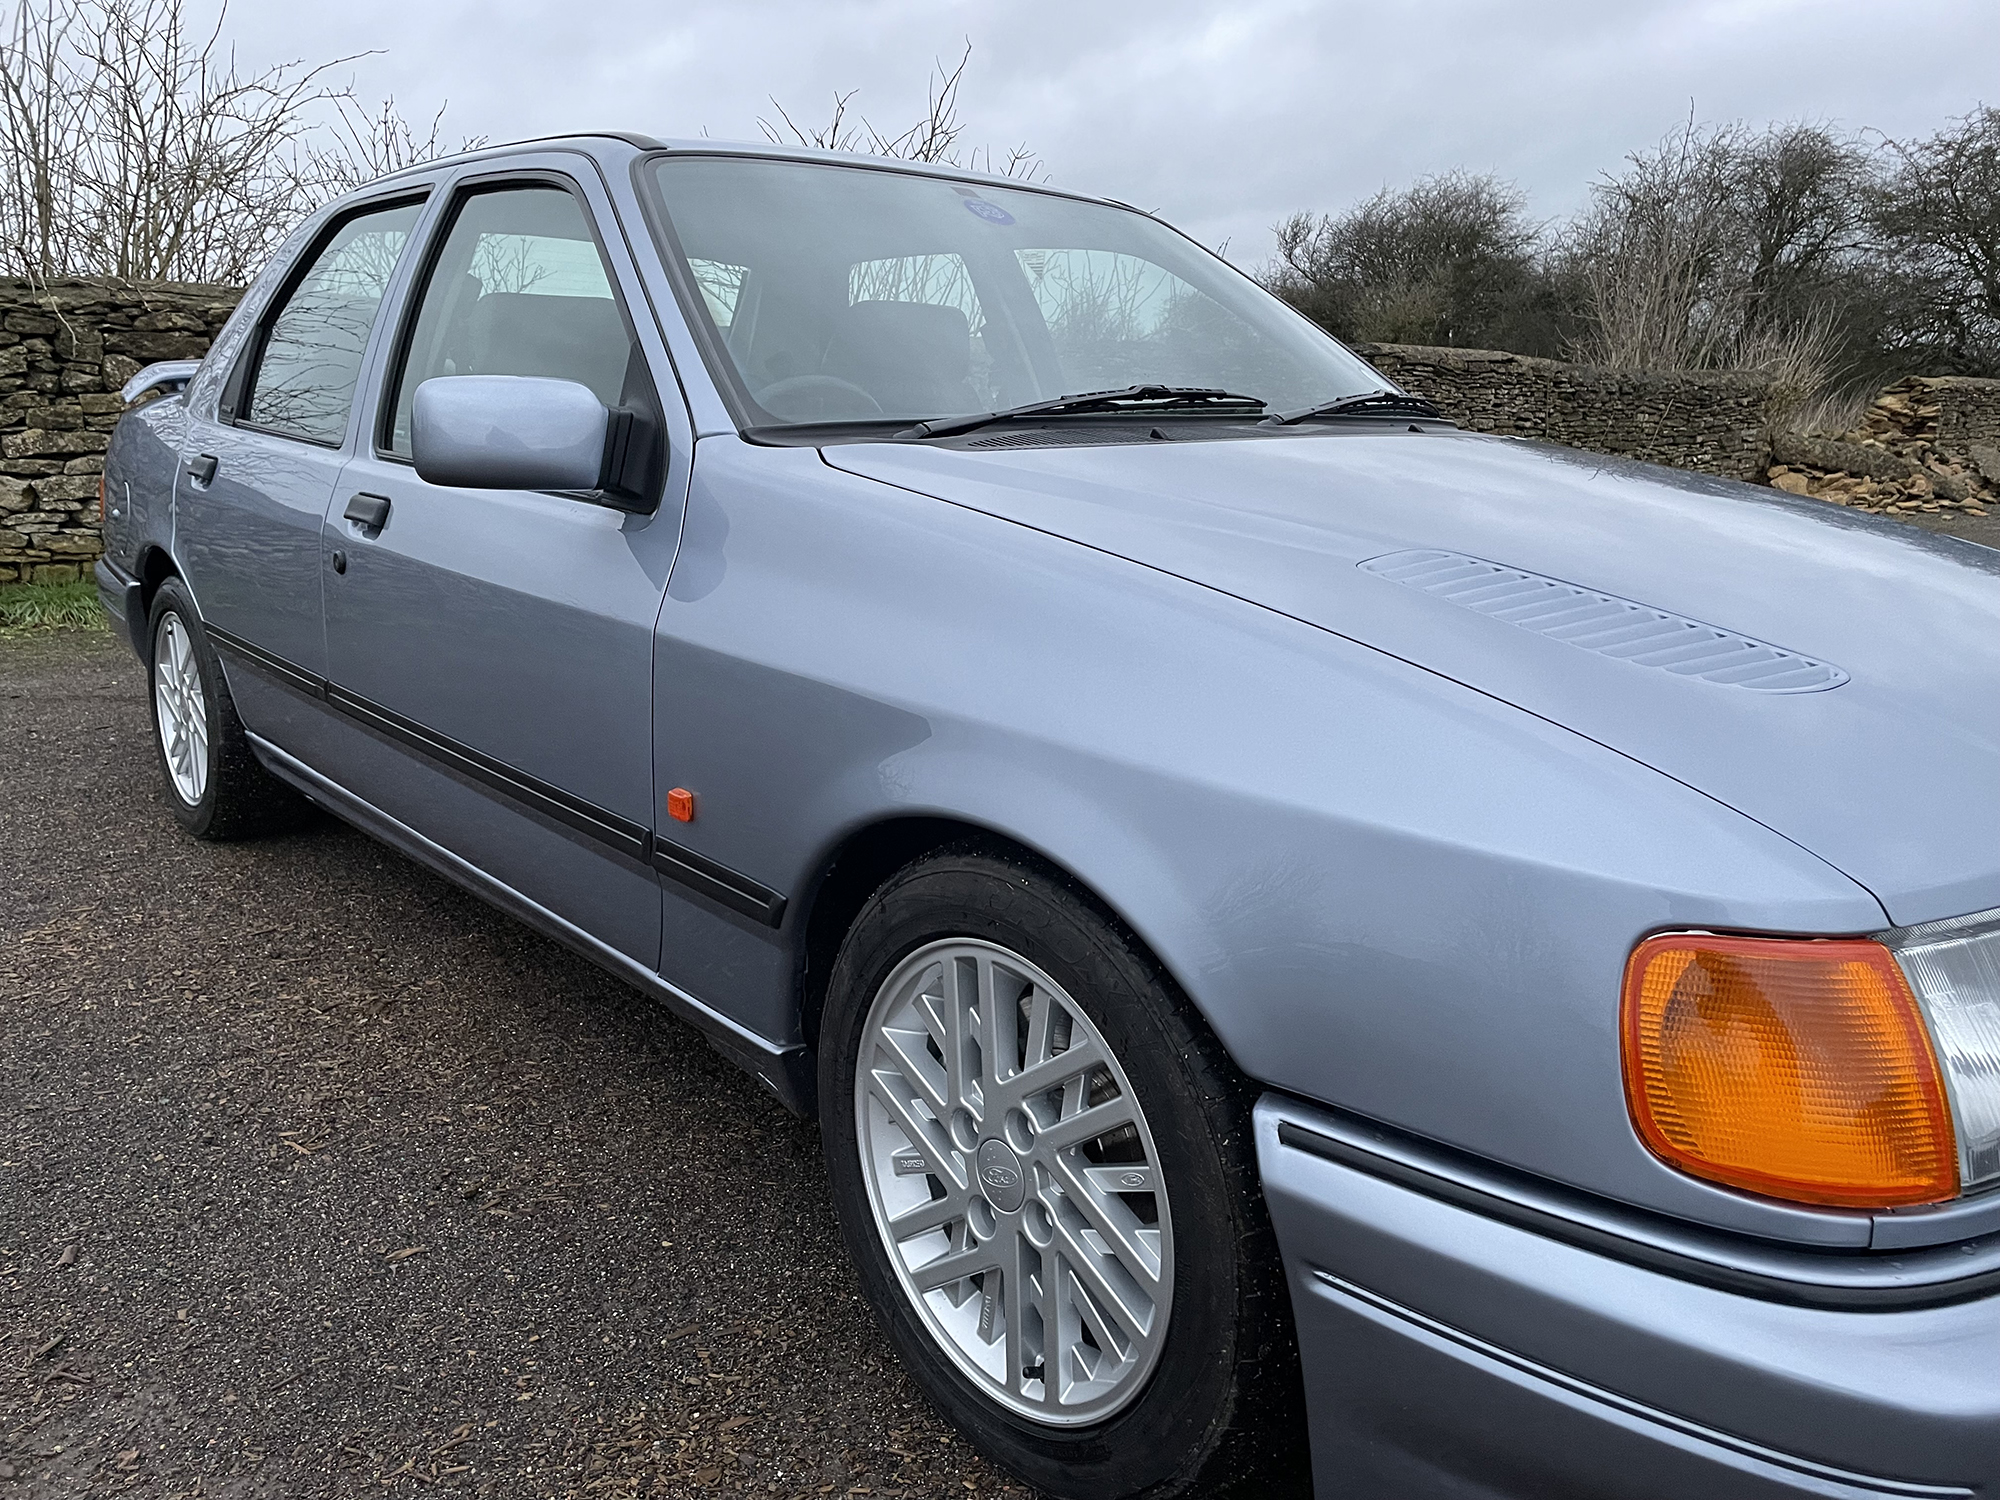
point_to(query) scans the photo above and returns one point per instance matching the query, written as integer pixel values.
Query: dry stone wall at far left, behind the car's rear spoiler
(65, 351)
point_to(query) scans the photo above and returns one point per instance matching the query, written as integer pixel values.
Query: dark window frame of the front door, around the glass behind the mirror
(439, 235)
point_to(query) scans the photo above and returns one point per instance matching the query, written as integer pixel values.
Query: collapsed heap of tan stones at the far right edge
(1925, 445)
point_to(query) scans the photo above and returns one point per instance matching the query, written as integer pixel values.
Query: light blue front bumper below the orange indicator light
(1449, 1353)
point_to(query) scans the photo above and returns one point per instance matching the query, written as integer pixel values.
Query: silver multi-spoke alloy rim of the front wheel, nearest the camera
(1015, 1183)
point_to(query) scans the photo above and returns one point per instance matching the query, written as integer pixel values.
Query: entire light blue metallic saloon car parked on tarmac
(1309, 933)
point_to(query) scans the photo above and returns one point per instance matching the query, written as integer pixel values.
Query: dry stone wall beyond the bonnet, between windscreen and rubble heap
(1709, 423)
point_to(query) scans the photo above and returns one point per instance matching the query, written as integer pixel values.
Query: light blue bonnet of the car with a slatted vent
(1875, 743)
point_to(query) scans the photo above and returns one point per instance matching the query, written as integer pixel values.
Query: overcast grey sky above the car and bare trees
(1221, 117)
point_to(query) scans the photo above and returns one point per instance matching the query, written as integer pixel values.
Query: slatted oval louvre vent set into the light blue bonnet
(1607, 625)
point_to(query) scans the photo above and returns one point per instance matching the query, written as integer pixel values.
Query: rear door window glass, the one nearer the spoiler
(313, 345)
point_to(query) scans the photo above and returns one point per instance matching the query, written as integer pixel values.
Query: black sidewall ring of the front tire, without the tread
(1179, 1417)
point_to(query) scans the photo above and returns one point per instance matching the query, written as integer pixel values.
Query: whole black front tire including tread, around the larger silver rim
(1221, 1415)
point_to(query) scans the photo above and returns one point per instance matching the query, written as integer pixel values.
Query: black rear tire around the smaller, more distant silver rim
(239, 799)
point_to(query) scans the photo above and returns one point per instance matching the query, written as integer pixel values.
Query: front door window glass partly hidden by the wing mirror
(519, 287)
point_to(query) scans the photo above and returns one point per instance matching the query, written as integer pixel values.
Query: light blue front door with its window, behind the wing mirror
(493, 651)
